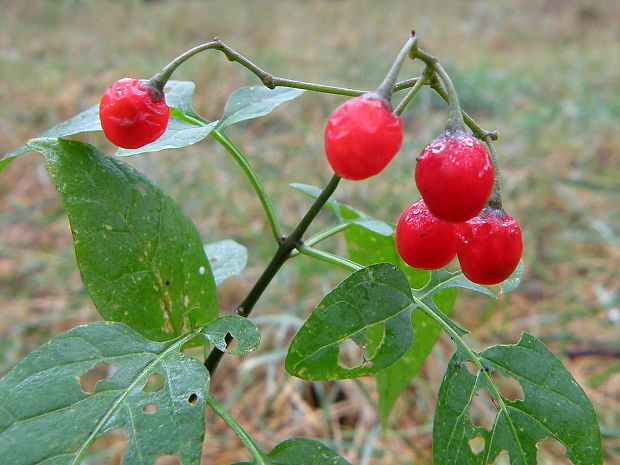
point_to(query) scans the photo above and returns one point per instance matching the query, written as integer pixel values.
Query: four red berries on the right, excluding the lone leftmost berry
(455, 176)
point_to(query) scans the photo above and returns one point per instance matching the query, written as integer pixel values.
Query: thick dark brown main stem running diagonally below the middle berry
(287, 245)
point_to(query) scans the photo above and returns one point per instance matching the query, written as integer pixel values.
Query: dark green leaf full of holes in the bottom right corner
(553, 406)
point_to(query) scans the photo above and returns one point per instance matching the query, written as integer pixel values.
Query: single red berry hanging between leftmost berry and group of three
(362, 136)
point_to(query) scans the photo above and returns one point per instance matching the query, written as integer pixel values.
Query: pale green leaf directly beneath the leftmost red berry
(178, 134)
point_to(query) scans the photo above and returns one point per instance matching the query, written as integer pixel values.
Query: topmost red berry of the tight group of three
(454, 174)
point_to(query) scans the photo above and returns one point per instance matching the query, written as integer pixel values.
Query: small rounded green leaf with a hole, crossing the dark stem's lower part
(244, 331)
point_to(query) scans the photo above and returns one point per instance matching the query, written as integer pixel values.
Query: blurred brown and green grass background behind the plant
(544, 73)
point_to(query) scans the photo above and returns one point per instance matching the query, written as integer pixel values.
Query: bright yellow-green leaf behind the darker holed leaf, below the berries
(366, 246)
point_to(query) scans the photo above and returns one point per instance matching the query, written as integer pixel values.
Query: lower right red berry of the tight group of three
(489, 246)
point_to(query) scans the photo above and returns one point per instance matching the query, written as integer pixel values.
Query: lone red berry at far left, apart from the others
(132, 113)
